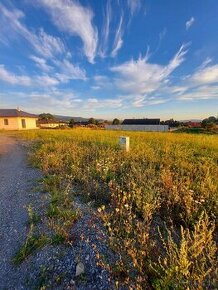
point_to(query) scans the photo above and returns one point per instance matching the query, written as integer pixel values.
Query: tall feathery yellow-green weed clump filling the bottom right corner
(191, 262)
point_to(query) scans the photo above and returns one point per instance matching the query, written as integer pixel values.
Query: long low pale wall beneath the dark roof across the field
(147, 128)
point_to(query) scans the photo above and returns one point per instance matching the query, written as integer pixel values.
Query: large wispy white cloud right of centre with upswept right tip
(145, 83)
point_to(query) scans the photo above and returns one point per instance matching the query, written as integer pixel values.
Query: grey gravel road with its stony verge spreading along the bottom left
(54, 266)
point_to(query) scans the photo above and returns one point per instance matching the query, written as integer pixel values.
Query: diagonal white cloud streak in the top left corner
(11, 27)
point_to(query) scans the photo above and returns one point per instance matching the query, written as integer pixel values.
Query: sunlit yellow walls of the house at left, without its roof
(15, 123)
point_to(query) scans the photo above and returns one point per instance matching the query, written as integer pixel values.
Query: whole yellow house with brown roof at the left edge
(15, 119)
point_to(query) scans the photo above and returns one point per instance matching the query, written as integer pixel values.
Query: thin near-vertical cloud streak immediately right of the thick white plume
(106, 29)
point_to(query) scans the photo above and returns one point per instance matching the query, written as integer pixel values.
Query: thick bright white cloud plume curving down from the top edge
(73, 18)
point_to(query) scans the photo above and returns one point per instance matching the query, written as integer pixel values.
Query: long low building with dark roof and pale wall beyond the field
(152, 125)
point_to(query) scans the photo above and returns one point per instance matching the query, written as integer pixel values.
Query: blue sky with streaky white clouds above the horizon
(110, 58)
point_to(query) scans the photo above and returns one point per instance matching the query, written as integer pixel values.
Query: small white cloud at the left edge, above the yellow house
(13, 79)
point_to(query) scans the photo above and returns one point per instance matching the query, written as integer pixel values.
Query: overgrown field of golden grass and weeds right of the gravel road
(158, 201)
